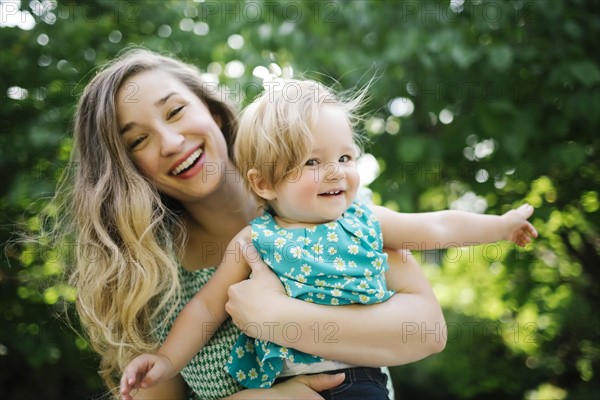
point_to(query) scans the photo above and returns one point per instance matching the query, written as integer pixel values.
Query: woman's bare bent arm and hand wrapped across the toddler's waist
(406, 328)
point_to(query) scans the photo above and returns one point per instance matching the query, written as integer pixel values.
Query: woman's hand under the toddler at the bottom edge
(298, 387)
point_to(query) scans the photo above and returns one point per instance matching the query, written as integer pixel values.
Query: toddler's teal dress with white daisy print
(341, 262)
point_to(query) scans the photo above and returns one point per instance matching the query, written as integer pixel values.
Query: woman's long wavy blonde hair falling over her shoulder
(125, 266)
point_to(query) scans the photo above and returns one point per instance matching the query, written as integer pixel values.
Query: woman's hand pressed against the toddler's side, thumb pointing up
(250, 300)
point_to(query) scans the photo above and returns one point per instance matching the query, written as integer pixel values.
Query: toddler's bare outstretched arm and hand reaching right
(450, 228)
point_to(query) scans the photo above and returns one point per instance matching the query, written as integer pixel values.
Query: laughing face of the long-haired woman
(172, 137)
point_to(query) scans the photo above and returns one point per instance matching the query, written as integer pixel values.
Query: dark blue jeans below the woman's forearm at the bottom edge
(361, 383)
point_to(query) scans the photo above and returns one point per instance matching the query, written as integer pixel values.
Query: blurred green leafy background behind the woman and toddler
(479, 105)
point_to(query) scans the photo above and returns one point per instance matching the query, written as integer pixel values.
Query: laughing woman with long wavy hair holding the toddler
(153, 199)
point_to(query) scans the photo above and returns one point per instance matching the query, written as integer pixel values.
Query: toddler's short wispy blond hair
(274, 131)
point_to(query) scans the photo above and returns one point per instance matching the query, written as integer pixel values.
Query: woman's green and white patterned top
(205, 374)
